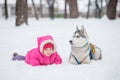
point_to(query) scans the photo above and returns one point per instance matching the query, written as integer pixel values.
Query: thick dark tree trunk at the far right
(111, 9)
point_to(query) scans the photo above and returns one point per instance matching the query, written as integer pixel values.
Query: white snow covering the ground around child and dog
(102, 32)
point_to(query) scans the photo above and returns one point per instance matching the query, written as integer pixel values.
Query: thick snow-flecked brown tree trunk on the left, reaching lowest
(21, 12)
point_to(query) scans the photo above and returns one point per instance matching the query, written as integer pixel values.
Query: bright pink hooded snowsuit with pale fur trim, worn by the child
(35, 57)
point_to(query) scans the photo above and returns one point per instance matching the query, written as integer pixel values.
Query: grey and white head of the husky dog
(80, 37)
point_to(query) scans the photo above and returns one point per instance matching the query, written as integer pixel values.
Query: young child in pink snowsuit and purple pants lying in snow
(44, 54)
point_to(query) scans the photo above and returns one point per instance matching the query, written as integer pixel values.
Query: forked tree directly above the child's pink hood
(51, 8)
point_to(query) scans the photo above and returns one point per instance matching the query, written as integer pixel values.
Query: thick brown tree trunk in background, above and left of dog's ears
(73, 7)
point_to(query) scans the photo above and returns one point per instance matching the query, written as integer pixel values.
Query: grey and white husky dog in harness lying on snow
(82, 51)
